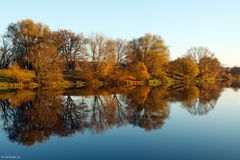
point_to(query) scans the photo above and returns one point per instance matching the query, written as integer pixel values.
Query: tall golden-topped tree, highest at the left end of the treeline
(24, 35)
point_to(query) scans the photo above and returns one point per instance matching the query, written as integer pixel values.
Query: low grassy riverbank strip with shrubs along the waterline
(16, 78)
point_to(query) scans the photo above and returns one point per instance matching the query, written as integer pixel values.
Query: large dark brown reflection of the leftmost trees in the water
(33, 120)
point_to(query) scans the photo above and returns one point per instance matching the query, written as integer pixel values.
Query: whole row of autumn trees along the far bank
(63, 54)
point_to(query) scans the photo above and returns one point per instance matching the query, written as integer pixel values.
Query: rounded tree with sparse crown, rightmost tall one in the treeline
(209, 65)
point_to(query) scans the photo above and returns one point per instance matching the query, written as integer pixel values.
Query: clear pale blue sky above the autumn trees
(182, 23)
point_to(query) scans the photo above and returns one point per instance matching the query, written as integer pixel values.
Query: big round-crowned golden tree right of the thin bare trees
(151, 50)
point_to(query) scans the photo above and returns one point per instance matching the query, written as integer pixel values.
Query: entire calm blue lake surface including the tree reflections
(121, 123)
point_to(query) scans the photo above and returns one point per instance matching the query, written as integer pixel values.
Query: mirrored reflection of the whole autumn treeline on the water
(34, 116)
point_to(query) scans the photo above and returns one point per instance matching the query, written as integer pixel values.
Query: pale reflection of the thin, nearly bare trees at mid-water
(107, 111)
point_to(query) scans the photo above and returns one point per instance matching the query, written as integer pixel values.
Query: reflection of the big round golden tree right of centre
(148, 108)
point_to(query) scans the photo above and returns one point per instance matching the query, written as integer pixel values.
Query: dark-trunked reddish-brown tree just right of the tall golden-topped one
(72, 47)
